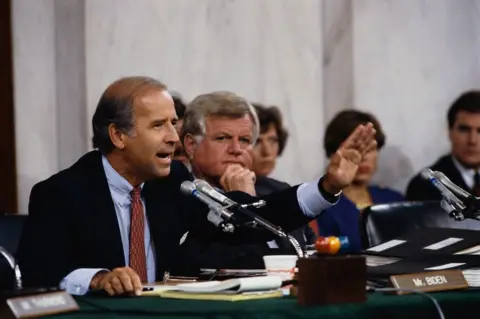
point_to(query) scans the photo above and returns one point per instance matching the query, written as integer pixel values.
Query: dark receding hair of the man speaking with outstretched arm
(116, 107)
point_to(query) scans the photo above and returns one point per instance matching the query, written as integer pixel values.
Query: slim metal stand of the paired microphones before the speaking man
(257, 220)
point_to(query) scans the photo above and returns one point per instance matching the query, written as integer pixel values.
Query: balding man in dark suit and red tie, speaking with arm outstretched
(116, 218)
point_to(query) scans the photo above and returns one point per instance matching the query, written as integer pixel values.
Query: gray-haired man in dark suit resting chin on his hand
(219, 134)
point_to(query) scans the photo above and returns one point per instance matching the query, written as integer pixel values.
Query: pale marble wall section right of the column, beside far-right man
(411, 60)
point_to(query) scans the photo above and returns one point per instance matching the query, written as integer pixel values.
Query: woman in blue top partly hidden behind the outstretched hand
(343, 219)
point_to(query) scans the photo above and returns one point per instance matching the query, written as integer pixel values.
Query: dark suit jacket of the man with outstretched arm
(73, 224)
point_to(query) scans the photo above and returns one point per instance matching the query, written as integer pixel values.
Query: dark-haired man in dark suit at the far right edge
(462, 165)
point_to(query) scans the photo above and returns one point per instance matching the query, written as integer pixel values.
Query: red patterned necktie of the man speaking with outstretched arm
(138, 260)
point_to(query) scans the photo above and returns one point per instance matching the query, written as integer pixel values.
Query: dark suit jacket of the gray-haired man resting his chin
(221, 255)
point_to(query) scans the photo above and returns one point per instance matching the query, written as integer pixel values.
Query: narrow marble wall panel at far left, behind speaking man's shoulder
(49, 89)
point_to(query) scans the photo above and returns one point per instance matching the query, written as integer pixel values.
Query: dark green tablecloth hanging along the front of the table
(458, 304)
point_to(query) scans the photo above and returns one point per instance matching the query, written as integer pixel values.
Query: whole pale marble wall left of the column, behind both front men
(267, 51)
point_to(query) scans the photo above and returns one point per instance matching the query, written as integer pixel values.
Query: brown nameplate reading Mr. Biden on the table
(430, 281)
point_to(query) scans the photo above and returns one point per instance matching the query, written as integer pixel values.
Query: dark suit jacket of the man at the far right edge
(421, 189)
